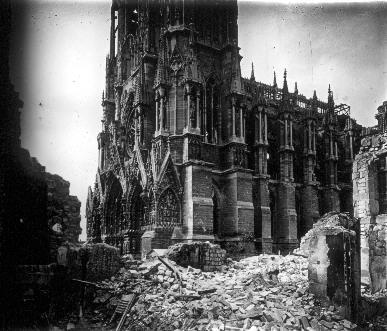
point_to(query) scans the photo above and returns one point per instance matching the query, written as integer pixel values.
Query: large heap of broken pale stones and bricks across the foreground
(266, 292)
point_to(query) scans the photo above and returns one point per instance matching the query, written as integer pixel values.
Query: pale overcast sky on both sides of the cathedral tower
(58, 63)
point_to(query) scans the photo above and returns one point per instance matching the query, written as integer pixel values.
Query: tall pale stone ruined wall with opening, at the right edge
(369, 188)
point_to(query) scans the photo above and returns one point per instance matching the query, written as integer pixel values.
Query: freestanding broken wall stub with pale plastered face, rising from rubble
(333, 251)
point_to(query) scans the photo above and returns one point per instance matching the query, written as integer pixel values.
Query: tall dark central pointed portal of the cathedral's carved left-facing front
(113, 213)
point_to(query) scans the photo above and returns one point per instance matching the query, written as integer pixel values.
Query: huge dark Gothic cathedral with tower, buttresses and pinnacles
(190, 150)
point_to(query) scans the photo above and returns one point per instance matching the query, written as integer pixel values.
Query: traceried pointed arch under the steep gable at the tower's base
(168, 209)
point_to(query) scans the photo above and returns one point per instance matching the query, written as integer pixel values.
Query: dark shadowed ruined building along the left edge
(28, 204)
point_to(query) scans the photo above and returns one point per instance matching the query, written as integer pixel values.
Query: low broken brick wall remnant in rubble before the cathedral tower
(203, 255)
